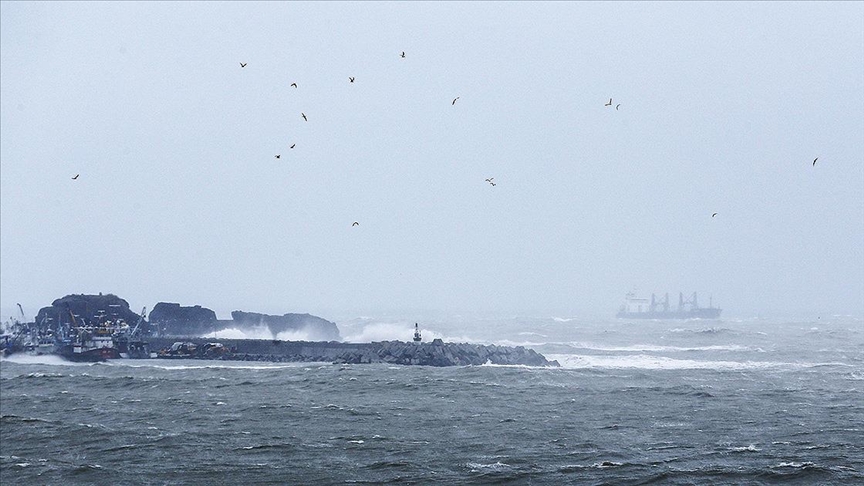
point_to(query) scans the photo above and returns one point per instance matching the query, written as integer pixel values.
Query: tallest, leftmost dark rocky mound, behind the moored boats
(87, 309)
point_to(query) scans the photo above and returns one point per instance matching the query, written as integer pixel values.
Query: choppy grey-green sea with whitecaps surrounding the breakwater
(691, 402)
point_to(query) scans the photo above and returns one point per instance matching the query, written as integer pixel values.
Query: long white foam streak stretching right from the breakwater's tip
(646, 361)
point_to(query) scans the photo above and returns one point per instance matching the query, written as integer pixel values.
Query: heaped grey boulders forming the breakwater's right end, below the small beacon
(439, 353)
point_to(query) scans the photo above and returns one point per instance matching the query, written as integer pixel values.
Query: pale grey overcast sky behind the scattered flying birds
(180, 197)
